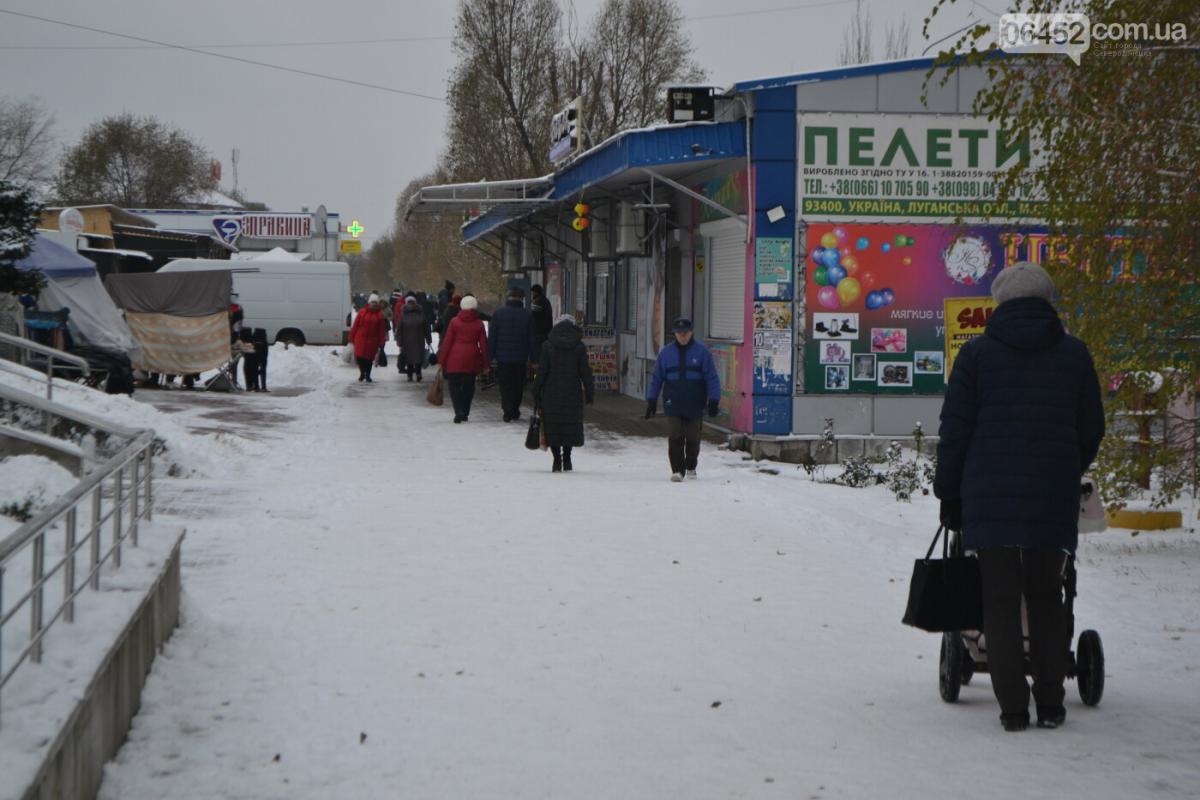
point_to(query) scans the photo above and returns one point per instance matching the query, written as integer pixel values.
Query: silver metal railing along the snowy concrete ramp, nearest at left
(127, 482)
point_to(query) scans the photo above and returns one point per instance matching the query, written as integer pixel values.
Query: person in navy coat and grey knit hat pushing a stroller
(1022, 423)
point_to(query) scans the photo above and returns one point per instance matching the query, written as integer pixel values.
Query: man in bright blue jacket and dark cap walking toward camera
(687, 377)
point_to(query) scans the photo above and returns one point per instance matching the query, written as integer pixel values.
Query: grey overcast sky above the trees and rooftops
(304, 141)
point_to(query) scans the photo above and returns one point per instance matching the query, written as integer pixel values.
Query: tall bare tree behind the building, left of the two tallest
(514, 46)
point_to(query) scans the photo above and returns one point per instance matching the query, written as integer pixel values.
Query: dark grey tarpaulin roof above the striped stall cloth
(178, 294)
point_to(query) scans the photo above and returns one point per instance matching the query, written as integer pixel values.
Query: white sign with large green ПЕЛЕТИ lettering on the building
(884, 167)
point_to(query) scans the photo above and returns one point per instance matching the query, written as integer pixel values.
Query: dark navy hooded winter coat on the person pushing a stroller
(1022, 423)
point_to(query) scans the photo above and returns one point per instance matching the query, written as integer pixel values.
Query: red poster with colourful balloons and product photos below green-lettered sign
(875, 299)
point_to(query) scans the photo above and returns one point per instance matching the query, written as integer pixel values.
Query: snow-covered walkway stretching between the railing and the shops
(381, 604)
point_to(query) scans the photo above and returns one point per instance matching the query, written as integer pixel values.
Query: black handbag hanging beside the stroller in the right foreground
(946, 594)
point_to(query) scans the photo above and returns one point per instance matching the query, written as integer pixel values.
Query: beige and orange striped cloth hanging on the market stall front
(181, 345)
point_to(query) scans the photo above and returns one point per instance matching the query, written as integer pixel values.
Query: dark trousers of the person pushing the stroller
(1009, 575)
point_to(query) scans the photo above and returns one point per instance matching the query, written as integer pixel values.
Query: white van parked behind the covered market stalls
(303, 303)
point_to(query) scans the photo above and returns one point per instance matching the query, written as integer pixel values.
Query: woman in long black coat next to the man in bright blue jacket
(565, 384)
